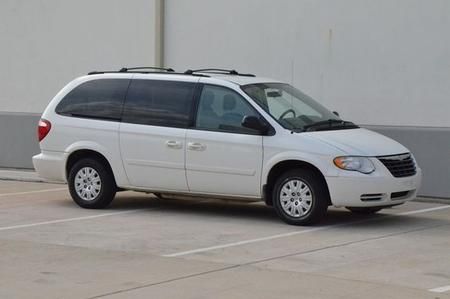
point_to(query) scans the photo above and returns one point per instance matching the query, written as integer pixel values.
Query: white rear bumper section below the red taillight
(51, 165)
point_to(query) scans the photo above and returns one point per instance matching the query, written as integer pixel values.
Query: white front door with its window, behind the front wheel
(222, 157)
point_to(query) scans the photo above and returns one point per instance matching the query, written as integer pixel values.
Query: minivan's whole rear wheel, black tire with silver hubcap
(91, 184)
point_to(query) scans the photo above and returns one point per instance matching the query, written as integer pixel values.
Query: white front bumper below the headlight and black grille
(360, 190)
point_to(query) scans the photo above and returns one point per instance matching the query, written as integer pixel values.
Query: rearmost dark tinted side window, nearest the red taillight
(99, 99)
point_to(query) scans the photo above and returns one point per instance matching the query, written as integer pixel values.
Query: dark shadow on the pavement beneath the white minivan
(260, 211)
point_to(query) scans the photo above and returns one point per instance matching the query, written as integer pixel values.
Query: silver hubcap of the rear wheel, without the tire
(88, 183)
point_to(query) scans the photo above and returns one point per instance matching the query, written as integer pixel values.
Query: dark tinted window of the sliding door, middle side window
(159, 103)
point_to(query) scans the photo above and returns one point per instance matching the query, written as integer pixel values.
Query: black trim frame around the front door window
(198, 92)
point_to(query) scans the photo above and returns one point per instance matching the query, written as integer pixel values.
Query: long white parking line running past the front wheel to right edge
(244, 242)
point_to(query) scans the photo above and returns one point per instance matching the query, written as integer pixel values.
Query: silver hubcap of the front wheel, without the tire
(296, 198)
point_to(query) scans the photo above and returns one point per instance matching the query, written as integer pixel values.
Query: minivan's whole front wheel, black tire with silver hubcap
(308, 205)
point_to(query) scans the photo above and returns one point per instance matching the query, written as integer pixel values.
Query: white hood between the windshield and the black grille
(360, 142)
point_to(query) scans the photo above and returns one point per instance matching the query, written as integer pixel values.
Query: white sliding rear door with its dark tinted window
(157, 111)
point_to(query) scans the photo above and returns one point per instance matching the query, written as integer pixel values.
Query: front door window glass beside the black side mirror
(222, 109)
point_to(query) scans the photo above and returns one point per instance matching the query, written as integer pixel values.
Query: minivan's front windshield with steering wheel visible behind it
(290, 107)
